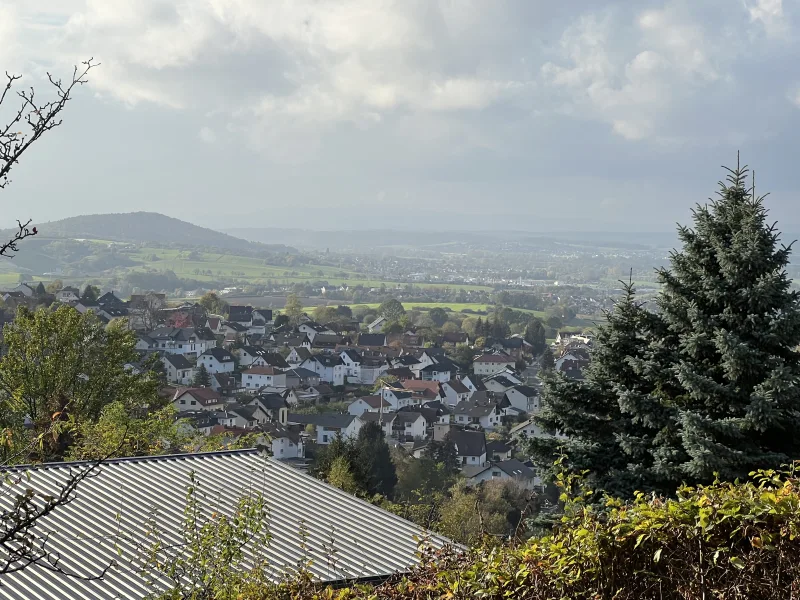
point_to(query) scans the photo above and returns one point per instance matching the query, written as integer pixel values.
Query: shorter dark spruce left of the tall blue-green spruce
(608, 423)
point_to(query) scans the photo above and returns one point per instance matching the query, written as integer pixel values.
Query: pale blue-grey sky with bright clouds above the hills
(409, 113)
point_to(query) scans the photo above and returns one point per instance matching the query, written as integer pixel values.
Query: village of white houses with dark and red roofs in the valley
(301, 384)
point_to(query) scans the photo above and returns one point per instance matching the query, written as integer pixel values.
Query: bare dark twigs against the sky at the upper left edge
(37, 117)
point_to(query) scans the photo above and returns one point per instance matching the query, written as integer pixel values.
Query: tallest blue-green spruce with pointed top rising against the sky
(725, 358)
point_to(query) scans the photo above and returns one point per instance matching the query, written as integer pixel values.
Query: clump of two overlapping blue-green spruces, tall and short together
(706, 383)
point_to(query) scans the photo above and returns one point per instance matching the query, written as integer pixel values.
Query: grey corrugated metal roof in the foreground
(368, 541)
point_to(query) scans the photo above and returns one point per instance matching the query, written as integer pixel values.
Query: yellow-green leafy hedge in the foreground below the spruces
(723, 541)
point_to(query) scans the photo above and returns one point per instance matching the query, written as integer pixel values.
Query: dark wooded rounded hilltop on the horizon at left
(147, 227)
